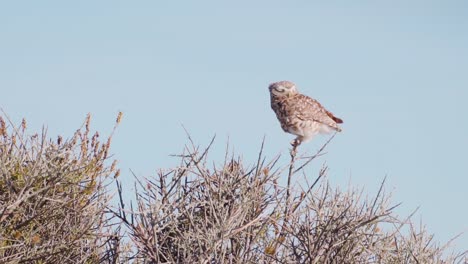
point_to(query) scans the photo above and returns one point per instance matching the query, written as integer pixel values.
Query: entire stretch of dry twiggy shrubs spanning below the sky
(55, 207)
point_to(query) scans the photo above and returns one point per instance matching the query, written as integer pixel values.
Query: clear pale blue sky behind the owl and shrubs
(396, 72)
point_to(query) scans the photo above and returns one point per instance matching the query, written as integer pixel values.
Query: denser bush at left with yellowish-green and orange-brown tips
(53, 197)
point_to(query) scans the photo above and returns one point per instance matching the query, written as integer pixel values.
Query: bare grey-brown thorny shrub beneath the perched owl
(232, 213)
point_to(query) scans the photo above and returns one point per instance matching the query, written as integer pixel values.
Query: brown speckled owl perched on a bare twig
(299, 114)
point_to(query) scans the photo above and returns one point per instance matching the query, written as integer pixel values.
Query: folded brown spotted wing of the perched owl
(311, 109)
